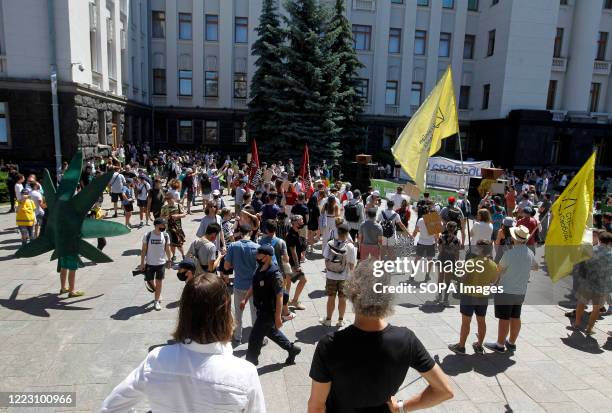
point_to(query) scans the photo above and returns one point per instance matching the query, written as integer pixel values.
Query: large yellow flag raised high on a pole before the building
(435, 120)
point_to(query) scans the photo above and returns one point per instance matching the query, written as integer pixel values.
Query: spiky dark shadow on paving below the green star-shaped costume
(38, 306)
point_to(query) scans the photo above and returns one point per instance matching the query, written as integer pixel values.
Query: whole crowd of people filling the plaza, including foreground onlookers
(256, 231)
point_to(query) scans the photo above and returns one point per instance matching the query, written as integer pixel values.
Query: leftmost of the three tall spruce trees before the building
(263, 120)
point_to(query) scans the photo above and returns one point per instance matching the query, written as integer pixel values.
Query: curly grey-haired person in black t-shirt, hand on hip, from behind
(361, 367)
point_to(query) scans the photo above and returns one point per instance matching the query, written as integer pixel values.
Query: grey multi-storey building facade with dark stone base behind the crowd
(531, 77)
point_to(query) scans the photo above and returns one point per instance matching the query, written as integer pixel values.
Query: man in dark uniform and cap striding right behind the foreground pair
(267, 293)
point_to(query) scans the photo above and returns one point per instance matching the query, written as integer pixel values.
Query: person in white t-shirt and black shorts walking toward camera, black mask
(155, 257)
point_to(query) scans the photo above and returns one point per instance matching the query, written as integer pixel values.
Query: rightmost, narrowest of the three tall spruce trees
(349, 103)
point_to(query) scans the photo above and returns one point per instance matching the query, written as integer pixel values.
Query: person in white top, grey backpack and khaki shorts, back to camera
(340, 260)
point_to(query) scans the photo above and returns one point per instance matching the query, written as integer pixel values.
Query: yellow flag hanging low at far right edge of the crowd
(571, 215)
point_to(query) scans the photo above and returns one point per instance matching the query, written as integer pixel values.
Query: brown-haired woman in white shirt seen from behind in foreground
(199, 373)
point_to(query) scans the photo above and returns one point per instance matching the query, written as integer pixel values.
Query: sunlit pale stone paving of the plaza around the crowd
(89, 344)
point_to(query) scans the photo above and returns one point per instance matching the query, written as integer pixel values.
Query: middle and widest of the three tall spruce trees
(309, 114)
